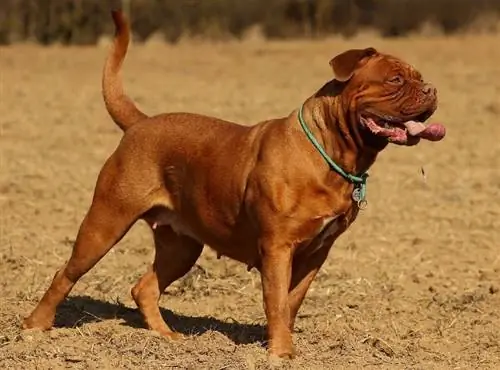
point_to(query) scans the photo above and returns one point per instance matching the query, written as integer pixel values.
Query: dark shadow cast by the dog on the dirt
(79, 310)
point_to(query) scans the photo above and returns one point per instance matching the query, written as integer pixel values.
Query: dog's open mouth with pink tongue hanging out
(403, 132)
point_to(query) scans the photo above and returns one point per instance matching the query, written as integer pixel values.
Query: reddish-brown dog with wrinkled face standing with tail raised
(262, 195)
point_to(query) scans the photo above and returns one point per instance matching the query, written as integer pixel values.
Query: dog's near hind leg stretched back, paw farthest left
(114, 210)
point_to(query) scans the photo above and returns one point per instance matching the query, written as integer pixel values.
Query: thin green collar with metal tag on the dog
(359, 192)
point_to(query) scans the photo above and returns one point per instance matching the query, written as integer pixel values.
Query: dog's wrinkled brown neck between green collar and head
(336, 128)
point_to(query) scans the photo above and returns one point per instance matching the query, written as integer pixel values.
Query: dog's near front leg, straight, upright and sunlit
(276, 275)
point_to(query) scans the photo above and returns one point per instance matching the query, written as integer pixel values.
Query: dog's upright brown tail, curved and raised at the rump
(120, 107)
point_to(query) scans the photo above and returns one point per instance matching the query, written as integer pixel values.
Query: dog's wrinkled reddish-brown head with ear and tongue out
(390, 98)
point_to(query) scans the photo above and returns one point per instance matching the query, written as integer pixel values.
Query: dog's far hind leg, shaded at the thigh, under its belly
(175, 255)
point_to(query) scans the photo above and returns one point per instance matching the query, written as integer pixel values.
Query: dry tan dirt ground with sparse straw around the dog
(414, 284)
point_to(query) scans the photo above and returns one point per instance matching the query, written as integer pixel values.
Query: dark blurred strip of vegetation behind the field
(83, 22)
